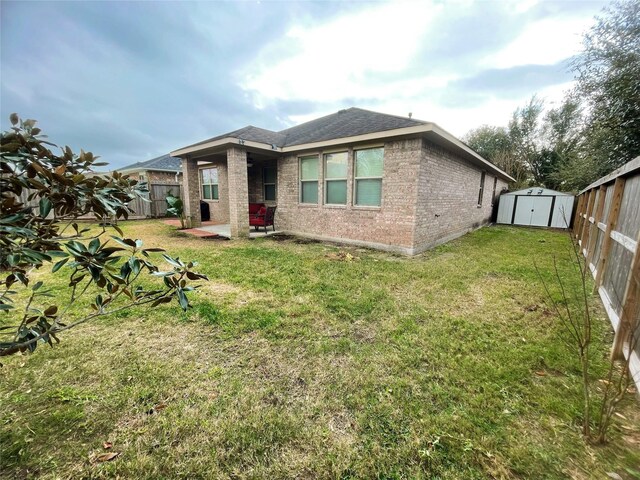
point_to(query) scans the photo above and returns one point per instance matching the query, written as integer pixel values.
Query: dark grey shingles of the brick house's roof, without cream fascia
(345, 123)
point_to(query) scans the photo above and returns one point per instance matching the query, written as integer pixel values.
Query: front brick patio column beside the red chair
(238, 192)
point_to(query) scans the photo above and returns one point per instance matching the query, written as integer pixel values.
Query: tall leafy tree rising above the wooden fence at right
(607, 73)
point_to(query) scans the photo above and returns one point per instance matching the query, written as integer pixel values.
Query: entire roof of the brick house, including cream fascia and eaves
(345, 126)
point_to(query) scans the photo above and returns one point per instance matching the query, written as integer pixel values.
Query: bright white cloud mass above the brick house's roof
(369, 56)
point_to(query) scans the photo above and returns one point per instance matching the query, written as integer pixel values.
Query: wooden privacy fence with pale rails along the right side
(607, 226)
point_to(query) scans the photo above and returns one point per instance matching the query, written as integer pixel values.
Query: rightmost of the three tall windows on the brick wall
(368, 177)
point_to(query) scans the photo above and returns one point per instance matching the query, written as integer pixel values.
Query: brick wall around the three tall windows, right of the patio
(389, 226)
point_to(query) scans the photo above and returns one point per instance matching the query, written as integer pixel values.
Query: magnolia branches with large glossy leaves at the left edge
(111, 271)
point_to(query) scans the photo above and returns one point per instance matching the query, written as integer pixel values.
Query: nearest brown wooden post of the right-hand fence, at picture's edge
(630, 307)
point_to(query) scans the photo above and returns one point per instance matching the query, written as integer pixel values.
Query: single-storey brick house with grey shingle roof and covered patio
(355, 176)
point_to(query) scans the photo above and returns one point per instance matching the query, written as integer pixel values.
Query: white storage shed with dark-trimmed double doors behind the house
(536, 207)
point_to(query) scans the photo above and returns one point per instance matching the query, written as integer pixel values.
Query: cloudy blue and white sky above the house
(131, 81)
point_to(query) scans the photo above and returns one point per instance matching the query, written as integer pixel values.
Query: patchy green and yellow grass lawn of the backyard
(300, 361)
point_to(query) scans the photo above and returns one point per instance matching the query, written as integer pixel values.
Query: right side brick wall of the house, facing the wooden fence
(447, 204)
